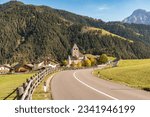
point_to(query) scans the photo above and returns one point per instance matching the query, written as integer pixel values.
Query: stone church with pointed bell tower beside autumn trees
(76, 56)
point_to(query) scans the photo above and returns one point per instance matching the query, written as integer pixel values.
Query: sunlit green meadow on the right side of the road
(134, 73)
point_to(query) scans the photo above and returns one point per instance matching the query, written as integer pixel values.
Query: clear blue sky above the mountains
(107, 10)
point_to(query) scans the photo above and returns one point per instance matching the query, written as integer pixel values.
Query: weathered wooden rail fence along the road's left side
(25, 91)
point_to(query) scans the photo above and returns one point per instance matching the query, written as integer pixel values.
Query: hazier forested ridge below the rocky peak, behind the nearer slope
(135, 32)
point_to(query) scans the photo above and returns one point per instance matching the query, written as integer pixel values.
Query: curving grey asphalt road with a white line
(82, 85)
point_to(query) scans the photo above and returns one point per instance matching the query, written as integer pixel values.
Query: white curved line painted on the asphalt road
(74, 74)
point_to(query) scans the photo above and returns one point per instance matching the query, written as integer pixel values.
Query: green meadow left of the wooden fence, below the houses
(10, 82)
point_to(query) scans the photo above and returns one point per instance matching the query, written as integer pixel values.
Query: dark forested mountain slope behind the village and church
(32, 33)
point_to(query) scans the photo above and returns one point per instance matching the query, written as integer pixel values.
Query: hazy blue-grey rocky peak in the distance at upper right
(139, 16)
